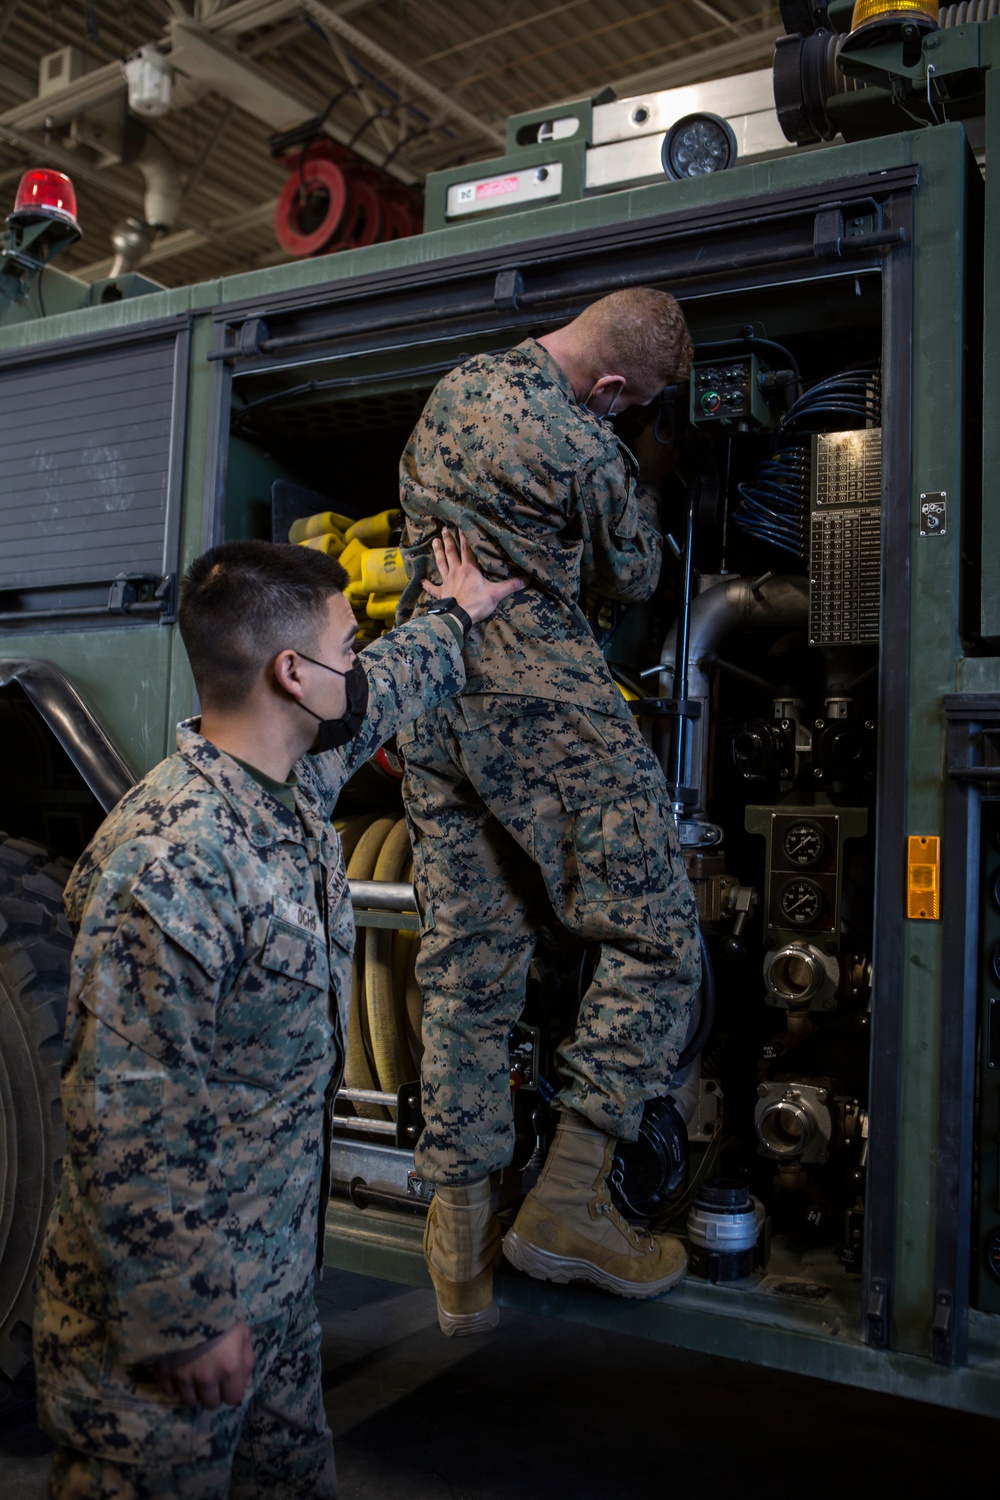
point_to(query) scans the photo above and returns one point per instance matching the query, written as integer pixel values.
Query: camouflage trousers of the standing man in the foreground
(275, 1445)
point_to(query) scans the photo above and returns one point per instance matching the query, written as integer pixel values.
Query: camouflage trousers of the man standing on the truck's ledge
(521, 809)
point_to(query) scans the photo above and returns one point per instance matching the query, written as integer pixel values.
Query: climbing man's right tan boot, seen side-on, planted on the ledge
(570, 1231)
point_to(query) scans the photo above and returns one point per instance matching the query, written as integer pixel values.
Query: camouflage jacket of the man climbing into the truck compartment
(542, 490)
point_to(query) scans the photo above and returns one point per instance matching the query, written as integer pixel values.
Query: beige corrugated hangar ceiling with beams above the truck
(413, 86)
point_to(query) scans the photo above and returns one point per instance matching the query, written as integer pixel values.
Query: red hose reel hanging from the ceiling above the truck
(334, 200)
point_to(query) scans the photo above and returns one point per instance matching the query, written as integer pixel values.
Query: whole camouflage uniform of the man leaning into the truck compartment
(534, 793)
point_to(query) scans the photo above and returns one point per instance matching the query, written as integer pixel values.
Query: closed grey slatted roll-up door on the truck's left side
(89, 481)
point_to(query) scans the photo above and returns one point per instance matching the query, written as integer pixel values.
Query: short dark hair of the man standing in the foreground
(242, 604)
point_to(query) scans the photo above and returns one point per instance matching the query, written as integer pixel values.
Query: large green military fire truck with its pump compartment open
(819, 670)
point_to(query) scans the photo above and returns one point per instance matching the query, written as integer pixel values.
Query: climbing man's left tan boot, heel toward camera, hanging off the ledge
(461, 1244)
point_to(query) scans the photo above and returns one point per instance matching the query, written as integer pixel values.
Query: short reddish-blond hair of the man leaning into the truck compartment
(639, 334)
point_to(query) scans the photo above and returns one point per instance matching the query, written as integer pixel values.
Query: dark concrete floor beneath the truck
(551, 1409)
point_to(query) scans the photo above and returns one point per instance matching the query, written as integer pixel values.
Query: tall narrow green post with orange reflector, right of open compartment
(938, 395)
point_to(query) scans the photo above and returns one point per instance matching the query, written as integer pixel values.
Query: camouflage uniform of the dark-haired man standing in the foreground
(209, 994)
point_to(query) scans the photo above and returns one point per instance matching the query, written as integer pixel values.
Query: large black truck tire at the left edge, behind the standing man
(35, 949)
